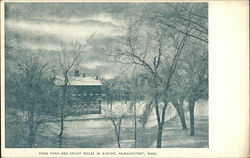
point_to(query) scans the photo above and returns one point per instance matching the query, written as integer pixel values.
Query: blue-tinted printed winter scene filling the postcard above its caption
(106, 75)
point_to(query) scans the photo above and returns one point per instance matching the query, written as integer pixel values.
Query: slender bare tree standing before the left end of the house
(68, 57)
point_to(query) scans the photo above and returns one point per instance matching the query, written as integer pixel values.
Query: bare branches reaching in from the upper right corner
(181, 15)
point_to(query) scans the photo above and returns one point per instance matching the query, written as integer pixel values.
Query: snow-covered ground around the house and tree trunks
(95, 131)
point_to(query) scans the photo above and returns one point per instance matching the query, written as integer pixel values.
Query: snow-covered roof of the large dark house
(79, 81)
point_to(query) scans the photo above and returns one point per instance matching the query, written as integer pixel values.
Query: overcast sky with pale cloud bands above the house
(49, 25)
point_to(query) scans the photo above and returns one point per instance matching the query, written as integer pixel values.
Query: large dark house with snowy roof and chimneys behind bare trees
(85, 94)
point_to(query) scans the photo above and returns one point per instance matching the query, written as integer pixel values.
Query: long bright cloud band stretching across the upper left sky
(68, 30)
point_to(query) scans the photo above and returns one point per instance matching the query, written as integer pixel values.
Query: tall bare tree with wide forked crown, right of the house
(155, 44)
